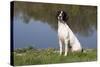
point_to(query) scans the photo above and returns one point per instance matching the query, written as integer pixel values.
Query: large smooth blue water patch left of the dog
(34, 33)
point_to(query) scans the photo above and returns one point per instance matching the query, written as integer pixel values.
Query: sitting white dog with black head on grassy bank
(66, 36)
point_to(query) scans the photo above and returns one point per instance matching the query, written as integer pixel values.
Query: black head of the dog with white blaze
(62, 16)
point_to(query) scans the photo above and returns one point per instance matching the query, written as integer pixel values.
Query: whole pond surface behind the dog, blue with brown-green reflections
(35, 24)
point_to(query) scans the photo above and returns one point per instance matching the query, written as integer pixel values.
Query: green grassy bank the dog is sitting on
(30, 56)
